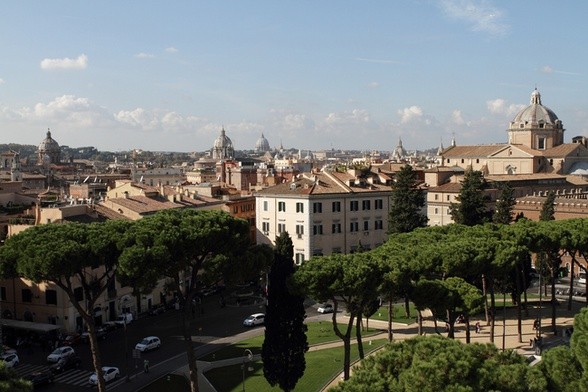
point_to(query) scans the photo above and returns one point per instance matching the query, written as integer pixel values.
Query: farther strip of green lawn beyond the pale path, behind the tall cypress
(318, 332)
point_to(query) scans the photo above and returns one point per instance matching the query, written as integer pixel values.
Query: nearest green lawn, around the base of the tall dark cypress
(321, 367)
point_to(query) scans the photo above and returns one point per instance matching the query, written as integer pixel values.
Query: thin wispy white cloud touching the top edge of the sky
(481, 15)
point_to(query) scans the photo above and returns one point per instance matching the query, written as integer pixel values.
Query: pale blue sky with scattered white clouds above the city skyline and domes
(309, 75)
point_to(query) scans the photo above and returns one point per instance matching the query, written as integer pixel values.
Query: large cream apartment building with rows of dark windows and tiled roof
(326, 212)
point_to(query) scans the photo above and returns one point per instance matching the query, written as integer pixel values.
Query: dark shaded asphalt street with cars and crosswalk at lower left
(212, 323)
